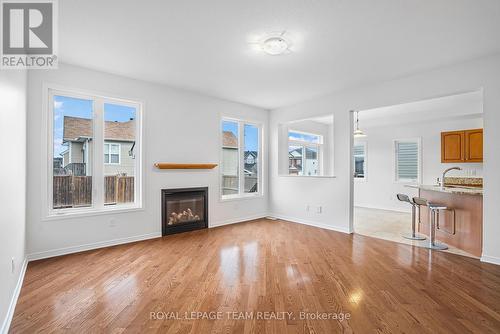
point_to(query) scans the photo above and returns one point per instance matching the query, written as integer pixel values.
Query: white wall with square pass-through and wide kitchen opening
(289, 196)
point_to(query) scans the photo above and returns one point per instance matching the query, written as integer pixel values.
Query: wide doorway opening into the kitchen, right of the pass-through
(398, 150)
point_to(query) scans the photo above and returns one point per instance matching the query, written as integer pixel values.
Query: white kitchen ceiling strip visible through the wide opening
(464, 105)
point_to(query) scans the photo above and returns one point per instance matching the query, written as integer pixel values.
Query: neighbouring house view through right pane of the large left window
(119, 159)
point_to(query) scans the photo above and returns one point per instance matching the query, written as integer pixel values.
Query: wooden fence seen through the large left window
(71, 191)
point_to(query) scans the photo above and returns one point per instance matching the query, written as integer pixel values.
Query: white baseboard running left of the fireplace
(95, 245)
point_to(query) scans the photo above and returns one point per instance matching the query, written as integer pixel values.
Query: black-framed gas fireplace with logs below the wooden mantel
(184, 210)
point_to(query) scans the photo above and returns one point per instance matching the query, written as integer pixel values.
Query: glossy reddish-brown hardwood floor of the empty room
(260, 266)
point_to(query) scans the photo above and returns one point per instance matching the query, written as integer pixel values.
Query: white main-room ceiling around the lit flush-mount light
(206, 46)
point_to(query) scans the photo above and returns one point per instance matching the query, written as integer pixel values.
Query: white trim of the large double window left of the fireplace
(97, 207)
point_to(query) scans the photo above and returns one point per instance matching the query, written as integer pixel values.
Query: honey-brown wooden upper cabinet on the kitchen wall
(462, 146)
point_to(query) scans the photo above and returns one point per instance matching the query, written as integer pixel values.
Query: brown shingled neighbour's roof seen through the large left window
(76, 127)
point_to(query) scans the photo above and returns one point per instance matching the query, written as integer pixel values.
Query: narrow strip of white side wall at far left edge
(13, 185)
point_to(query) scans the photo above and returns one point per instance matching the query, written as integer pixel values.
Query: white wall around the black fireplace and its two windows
(179, 126)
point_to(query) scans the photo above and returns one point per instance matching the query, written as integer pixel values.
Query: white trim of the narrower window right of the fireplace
(241, 155)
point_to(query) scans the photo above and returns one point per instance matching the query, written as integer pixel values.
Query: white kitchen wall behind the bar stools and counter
(379, 189)
